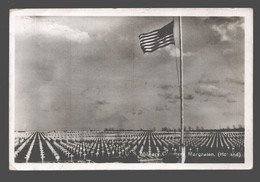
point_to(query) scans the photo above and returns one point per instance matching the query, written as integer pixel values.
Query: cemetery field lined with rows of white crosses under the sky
(129, 146)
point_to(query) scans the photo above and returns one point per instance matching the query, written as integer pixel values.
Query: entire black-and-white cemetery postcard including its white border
(97, 89)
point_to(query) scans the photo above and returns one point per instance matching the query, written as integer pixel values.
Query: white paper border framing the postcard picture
(245, 12)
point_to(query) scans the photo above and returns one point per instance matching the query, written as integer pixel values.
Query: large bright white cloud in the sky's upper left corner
(39, 27)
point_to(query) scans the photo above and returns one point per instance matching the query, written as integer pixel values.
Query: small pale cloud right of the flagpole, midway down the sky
(211, 90)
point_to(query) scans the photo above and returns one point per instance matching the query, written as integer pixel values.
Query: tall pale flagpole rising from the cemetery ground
(182, 146)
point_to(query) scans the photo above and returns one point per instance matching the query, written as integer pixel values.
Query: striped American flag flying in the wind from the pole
(158, 38)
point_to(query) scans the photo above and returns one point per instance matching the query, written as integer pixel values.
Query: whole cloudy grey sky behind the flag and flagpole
(90, 73)
